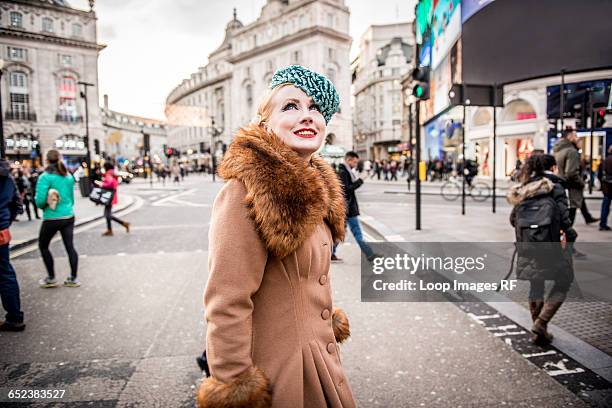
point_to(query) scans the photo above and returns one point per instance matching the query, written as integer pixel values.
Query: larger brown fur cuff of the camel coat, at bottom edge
(250, 389)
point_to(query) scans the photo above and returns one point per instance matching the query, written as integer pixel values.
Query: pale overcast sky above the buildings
(152, 45)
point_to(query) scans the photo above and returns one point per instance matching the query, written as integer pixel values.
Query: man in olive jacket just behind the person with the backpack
(568, 166)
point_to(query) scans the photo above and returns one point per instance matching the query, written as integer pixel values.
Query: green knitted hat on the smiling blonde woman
(317, 86)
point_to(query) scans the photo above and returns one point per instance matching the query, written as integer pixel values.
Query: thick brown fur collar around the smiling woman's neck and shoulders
(287, 198)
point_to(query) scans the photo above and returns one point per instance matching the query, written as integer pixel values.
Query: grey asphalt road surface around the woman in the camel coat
(130, 334)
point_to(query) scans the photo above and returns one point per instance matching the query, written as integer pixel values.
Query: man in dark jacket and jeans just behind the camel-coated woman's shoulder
(351, 182)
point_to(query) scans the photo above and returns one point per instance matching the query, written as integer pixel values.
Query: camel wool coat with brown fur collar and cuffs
(272, 332)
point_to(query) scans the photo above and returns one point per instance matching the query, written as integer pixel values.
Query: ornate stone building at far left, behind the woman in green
(47, 48)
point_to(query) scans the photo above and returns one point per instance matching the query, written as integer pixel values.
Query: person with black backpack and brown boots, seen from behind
(541, 221)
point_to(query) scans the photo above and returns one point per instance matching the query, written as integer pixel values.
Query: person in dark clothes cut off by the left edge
(10, 206)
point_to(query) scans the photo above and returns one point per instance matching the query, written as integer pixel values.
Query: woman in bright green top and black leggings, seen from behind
(55, 196)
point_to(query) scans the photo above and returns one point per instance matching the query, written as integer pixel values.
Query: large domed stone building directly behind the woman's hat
(227, 90)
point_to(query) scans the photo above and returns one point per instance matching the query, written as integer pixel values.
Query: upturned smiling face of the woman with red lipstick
(297, 121)
